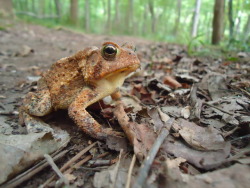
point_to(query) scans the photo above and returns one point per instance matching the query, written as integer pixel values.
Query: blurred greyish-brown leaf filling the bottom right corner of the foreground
(236, 176)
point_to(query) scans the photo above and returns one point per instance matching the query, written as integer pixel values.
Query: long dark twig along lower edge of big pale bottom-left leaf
(31, 172)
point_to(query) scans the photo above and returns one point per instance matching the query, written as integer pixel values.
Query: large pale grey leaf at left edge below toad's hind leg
(21, 151)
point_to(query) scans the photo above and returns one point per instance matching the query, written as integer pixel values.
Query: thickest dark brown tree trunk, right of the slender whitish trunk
(218, 21)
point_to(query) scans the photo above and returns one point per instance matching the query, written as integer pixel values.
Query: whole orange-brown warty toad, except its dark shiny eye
(78, 81)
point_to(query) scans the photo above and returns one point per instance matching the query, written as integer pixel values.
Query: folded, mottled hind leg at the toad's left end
(35, 104)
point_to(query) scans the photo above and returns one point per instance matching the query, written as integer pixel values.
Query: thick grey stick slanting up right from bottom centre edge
(143, 172)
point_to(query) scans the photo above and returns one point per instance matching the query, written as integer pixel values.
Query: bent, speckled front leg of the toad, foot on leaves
(84, 120)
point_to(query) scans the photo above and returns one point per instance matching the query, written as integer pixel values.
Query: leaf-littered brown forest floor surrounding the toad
(202, 102)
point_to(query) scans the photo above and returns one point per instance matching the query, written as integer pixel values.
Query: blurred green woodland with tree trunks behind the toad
(191, 22)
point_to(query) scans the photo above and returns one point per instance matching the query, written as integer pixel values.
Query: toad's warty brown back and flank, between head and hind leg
(64, 80)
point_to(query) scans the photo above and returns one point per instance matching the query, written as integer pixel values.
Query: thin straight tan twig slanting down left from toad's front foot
(71, 161)
